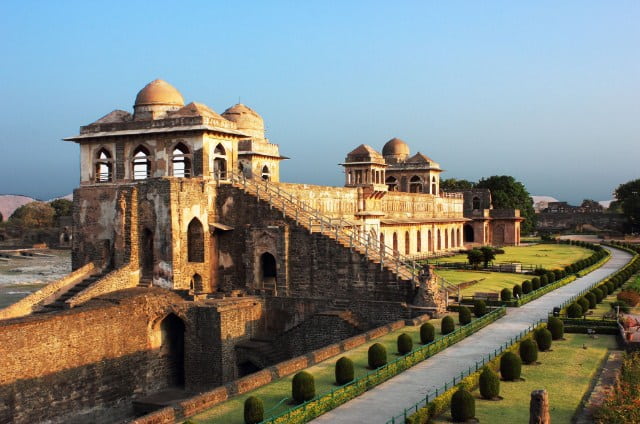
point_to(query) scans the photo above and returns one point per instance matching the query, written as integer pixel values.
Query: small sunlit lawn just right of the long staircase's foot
(491, 281)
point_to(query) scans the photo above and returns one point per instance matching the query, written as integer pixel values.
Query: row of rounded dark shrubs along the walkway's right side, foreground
(509, 366)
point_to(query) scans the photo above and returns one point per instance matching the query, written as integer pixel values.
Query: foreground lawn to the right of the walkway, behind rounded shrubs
(566, 373)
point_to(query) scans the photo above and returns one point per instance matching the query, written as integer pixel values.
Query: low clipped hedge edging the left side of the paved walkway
(336, 397)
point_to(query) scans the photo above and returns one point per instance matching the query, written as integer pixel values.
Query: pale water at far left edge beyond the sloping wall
(20, 277)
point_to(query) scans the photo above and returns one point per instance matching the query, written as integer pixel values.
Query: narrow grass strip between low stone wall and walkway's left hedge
(271, 394)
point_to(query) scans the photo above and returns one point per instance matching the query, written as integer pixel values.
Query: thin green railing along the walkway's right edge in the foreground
(401, 417)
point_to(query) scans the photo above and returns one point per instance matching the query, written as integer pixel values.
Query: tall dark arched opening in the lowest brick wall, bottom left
(172, 349)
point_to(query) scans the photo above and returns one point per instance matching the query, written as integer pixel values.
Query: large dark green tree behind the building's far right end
(507, 193)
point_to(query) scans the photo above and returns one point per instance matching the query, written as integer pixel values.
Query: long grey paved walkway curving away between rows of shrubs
(382, 402)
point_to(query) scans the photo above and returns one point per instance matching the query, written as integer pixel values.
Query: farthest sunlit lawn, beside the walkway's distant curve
(550, 256)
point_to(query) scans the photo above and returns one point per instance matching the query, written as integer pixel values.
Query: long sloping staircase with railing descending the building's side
(344, 232)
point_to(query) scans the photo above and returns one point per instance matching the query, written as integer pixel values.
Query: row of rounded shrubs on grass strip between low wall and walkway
(303, 383)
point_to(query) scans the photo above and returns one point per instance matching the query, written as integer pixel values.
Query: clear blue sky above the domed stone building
(545, 91)
